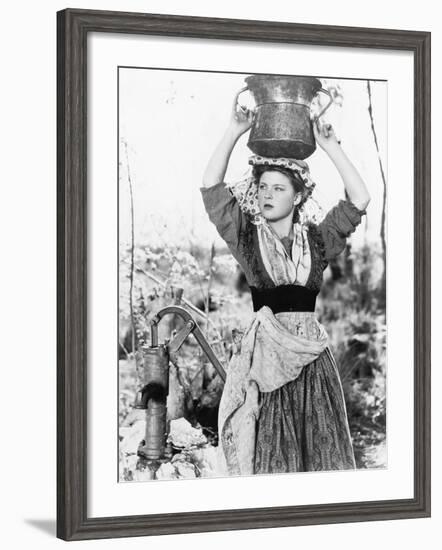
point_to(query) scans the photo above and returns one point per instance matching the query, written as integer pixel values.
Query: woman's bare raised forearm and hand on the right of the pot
(354, 185)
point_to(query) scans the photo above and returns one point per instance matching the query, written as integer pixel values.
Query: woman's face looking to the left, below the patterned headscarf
(276, 195)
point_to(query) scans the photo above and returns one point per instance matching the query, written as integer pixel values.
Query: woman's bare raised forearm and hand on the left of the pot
(240, 121)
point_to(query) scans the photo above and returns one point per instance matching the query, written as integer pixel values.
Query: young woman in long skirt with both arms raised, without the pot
(282, 408)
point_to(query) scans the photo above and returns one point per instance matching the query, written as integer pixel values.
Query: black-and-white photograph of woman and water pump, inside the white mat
(252, 268)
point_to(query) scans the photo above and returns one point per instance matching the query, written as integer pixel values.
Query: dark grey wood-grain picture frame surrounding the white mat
(72, 28)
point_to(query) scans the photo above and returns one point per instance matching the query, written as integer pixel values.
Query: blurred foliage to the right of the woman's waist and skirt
(352, 309)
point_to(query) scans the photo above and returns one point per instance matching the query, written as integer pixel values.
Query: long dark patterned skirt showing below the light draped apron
(303, 425)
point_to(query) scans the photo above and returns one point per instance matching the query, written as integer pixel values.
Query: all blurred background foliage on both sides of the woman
(351, 308)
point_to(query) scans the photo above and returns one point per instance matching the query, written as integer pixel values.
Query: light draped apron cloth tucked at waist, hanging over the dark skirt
(270, 356)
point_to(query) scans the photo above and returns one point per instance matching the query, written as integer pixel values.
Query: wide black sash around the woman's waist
(284, 298)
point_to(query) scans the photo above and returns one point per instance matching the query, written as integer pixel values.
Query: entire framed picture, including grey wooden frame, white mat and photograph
(243, 213)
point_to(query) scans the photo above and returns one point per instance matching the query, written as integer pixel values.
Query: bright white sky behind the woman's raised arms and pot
(172, 121)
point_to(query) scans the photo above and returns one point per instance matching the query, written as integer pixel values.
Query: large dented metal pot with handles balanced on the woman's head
(282, 125)
